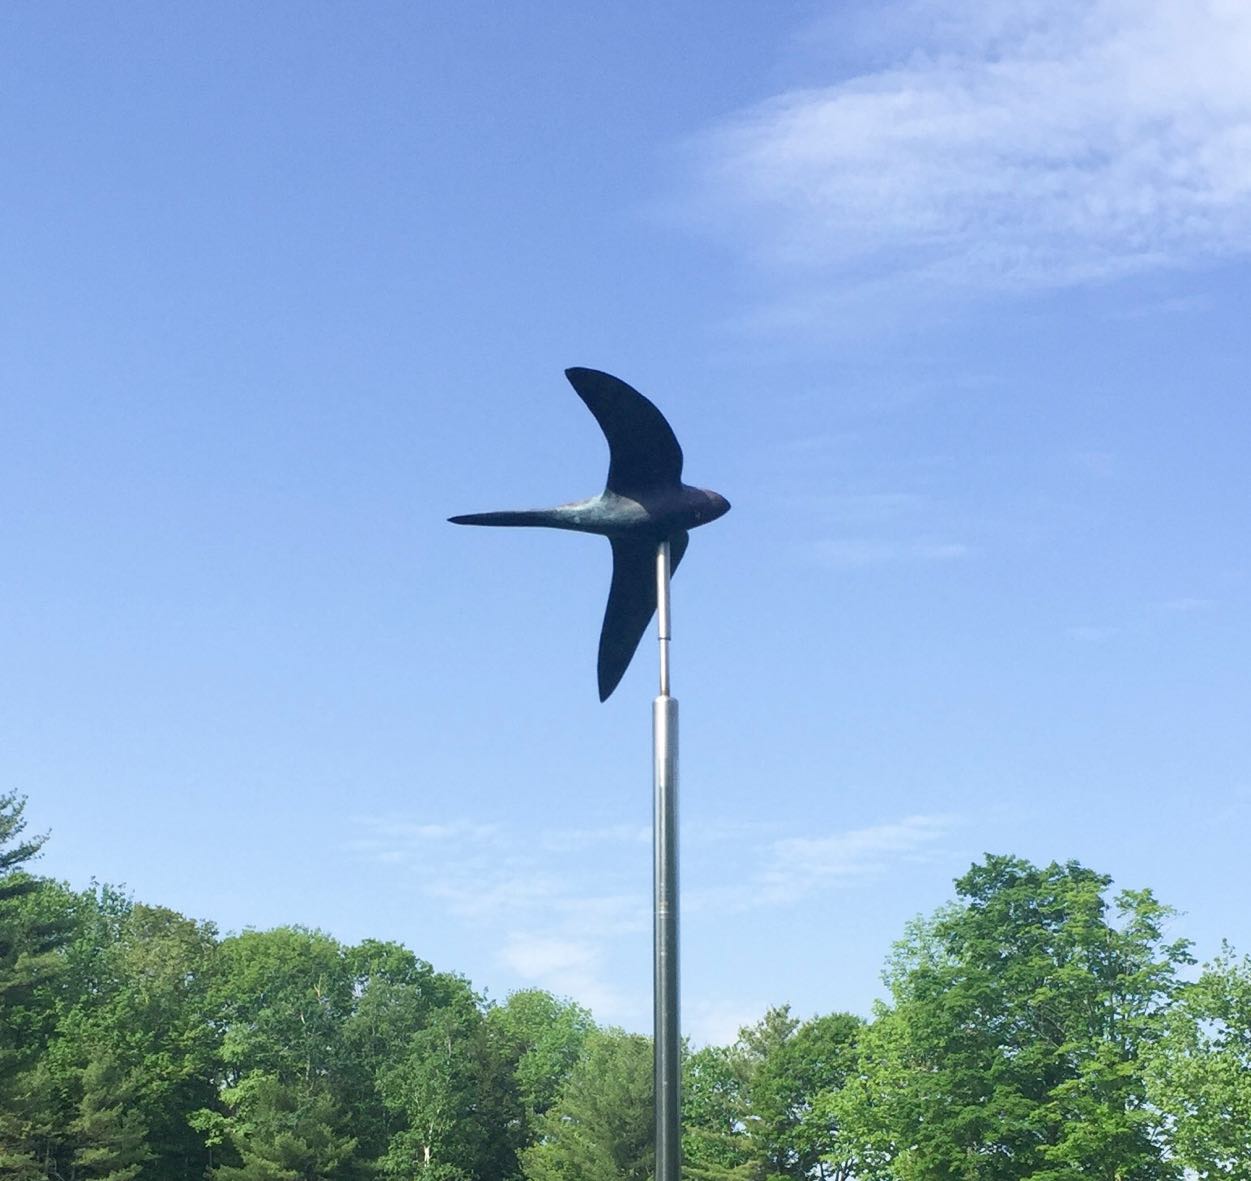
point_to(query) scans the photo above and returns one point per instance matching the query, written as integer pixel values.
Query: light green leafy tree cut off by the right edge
(1200, 1072)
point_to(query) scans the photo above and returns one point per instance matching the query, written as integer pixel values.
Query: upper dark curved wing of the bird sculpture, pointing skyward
(644, 452)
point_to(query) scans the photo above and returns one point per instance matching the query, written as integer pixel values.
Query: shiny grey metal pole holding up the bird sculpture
(665, 745)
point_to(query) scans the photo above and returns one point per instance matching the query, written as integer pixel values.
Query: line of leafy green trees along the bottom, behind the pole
(1038, 1028)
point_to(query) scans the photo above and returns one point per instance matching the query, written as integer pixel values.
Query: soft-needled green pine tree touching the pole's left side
(601, 1128)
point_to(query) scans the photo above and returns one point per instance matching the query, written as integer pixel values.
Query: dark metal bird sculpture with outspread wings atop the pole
(644, 504)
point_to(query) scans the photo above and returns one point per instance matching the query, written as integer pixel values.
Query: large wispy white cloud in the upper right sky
(1006, 144)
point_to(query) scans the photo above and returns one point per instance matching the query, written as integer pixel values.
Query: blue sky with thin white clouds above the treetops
(951, 303)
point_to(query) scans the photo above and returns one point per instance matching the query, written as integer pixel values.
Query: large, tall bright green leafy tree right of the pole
(1014, 1048)
